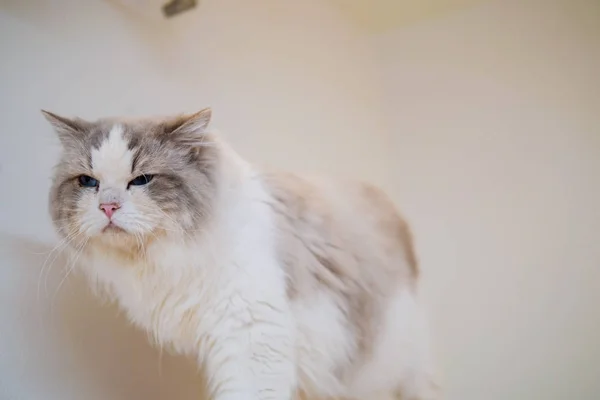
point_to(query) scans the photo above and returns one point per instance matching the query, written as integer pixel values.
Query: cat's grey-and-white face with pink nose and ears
(126, 181)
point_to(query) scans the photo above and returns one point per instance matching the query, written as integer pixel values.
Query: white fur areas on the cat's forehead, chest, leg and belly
(226, 286)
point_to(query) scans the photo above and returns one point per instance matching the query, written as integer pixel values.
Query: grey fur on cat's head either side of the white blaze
(177, 151)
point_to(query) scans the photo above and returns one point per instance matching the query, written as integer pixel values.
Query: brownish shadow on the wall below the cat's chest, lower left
(66, 335)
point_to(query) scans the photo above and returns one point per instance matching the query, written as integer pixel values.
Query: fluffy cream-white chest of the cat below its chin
(170, 296)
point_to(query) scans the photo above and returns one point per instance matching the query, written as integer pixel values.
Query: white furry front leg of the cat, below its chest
(253, 357)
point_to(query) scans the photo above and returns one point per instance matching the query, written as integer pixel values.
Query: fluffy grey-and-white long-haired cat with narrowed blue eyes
(279, 285)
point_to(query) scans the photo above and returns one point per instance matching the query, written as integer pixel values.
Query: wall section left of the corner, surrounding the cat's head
(291, 84)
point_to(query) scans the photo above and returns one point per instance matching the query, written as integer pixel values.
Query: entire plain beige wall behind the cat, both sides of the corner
(484, 124)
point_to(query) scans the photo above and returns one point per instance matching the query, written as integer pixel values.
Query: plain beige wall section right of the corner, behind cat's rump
(496, 117)
